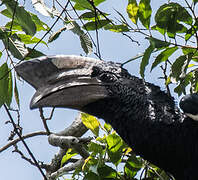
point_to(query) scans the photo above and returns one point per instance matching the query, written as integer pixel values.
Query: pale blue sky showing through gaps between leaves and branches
(113, 47)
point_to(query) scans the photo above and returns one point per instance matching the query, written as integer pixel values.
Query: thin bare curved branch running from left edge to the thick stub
(13, 142)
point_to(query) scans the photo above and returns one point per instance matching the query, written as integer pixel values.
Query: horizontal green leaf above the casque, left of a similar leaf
(91, 26)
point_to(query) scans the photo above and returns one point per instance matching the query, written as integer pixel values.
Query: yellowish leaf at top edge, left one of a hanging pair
(132, 10)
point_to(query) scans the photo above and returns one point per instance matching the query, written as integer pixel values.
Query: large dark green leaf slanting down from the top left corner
(21, 16)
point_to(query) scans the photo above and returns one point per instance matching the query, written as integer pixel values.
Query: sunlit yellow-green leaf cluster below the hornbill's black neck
(110, 157)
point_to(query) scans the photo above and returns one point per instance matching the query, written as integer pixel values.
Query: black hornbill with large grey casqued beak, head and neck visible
(143, 115)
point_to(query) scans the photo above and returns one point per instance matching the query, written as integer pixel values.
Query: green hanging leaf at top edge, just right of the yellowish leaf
(144, 12)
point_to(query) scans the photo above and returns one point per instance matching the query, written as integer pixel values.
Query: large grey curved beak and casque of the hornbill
(62, 81)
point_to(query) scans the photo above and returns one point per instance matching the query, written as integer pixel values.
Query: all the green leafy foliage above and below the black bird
(172, 35)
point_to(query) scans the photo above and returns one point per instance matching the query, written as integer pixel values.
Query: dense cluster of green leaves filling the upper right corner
(173, 39)
